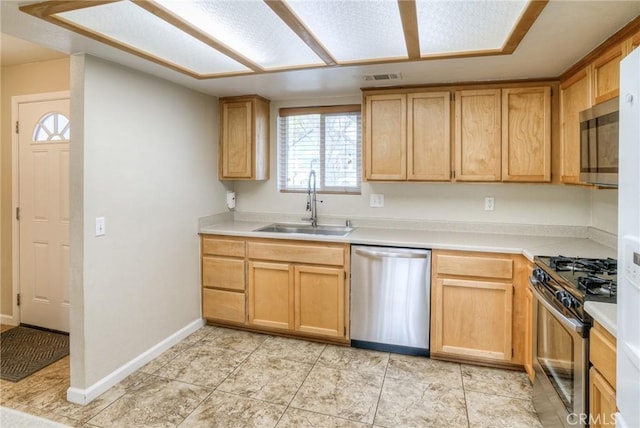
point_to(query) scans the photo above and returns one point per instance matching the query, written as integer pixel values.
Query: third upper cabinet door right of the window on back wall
(477, 135)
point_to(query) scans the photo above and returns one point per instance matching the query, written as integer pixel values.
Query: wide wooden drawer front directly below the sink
(296, 253)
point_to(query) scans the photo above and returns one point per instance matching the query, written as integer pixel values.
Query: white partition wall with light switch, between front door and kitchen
(144, 157)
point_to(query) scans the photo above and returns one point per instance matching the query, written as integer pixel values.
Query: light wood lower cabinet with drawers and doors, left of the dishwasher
(292, 287)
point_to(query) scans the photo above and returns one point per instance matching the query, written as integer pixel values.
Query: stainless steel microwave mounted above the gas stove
(599, 144)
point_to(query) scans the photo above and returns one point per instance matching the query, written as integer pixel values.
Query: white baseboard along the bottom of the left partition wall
(85, 396)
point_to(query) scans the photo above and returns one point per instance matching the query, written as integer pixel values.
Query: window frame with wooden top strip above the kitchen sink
(282, 154)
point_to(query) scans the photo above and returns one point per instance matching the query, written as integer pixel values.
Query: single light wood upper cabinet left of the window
(244, 138)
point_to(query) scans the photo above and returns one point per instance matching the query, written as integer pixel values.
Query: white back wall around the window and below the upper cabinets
(464, 202)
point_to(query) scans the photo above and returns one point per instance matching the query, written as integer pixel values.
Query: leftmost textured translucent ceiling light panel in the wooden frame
(131, 25)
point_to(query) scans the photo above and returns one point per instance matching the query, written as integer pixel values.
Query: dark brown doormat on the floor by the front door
(24, 351)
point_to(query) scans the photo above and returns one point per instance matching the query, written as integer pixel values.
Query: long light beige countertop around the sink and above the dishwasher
(529, 246)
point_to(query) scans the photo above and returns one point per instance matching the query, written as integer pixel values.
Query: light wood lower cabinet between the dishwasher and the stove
(474, 316)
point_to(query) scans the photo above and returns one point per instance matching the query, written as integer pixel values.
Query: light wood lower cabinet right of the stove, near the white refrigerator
(602, 377)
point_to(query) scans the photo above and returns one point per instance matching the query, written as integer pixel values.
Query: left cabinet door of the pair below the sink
(271, 295)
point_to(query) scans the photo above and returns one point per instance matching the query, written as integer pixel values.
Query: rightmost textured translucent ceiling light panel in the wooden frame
(466, 26)
